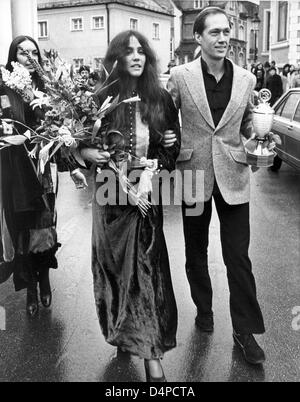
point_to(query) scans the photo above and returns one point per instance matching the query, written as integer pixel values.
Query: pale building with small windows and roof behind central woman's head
(82, 29)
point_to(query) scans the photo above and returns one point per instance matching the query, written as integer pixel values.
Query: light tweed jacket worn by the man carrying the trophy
(218, 151)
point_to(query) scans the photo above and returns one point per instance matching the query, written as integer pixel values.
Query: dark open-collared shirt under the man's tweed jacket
(218, 93)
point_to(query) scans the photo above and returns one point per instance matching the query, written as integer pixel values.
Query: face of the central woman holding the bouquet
(135, 58)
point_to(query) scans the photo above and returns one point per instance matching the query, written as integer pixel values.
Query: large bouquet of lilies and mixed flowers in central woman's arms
(71, 115)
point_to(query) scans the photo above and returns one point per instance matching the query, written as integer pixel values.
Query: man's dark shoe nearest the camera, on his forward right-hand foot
(253, 353)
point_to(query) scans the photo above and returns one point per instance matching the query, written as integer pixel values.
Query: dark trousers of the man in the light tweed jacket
(235, 236)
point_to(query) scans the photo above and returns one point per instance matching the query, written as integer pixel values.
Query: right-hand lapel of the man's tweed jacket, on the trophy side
(237, 96)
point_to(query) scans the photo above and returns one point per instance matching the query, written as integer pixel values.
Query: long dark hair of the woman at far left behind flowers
(15, 99)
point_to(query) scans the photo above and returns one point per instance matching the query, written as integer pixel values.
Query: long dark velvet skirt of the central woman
(132, 282)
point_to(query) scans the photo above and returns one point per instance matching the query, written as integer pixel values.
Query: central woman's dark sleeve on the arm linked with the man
(167, 156)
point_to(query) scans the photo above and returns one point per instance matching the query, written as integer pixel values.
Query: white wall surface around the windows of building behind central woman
(90, 44)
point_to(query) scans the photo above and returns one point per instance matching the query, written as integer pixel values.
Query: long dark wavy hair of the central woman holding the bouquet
(148, 85)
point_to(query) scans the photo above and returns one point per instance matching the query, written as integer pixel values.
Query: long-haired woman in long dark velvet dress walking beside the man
(132, 282)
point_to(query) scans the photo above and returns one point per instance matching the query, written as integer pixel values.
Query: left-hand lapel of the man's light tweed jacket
(195, 84)
